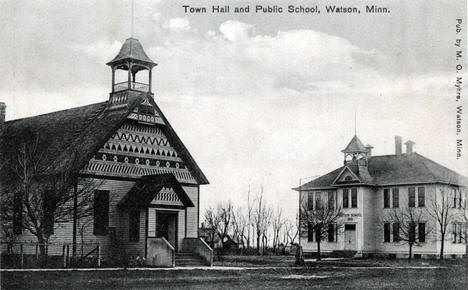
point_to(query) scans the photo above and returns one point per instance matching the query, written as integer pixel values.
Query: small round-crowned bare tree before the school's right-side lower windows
(406, 225)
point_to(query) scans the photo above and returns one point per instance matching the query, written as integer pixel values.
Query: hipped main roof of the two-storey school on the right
(393, 169)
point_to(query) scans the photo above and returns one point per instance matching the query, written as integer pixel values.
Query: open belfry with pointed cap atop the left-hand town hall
(133, 60)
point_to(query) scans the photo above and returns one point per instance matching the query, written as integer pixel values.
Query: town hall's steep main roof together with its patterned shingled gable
(84, 135)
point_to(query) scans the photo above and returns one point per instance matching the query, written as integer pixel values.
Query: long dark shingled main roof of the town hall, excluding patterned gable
(76, 134)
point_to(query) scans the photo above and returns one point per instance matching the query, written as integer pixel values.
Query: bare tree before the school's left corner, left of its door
(319, 219)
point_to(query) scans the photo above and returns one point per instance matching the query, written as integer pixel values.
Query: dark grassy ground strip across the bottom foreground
(318, 276)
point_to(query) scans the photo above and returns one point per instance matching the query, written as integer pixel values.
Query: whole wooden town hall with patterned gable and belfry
(147, 184)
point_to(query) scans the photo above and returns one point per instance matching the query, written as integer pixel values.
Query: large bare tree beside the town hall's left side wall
(40, 200)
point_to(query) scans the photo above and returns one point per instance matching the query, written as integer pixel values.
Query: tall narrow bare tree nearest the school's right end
(440, 208)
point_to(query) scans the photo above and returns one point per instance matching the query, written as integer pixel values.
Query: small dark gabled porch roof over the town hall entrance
(148, 186)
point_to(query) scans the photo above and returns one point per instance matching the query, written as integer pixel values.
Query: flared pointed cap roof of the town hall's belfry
(131, 50)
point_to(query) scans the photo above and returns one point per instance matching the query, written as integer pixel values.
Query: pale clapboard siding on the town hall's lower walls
(118, 219)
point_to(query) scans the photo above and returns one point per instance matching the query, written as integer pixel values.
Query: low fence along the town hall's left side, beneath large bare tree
(49, 255)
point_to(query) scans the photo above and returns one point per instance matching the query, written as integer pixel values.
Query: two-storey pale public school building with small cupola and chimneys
(368, 187)
